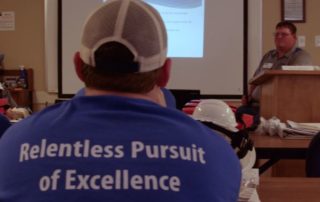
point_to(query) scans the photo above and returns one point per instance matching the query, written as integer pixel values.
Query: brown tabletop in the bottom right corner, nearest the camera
(289, 189)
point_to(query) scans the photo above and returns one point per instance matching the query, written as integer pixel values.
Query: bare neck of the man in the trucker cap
(155, 95)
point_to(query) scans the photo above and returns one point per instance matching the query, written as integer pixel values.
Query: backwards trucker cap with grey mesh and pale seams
(132, 23)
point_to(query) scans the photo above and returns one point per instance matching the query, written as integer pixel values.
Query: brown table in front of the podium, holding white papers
(275, 148)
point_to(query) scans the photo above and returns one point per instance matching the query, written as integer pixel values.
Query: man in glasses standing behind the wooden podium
(286, 52)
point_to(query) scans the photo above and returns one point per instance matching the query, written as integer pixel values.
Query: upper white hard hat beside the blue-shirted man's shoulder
(217, 112)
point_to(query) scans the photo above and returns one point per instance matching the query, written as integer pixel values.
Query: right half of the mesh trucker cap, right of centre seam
(150, 42)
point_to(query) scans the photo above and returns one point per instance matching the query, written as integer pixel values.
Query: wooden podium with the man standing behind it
(289, 95)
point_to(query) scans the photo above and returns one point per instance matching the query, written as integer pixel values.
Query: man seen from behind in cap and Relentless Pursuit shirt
(118, 142)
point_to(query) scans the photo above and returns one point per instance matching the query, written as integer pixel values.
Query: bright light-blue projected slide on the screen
(184, 21)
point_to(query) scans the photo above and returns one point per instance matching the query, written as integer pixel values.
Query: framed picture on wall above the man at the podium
(293, 10)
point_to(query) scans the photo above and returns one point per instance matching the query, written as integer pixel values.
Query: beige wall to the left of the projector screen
(25, 45)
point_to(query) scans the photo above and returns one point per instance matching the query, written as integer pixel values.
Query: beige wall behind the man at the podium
(309, 29)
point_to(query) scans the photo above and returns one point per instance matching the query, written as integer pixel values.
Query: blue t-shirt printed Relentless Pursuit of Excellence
(111, 148)
